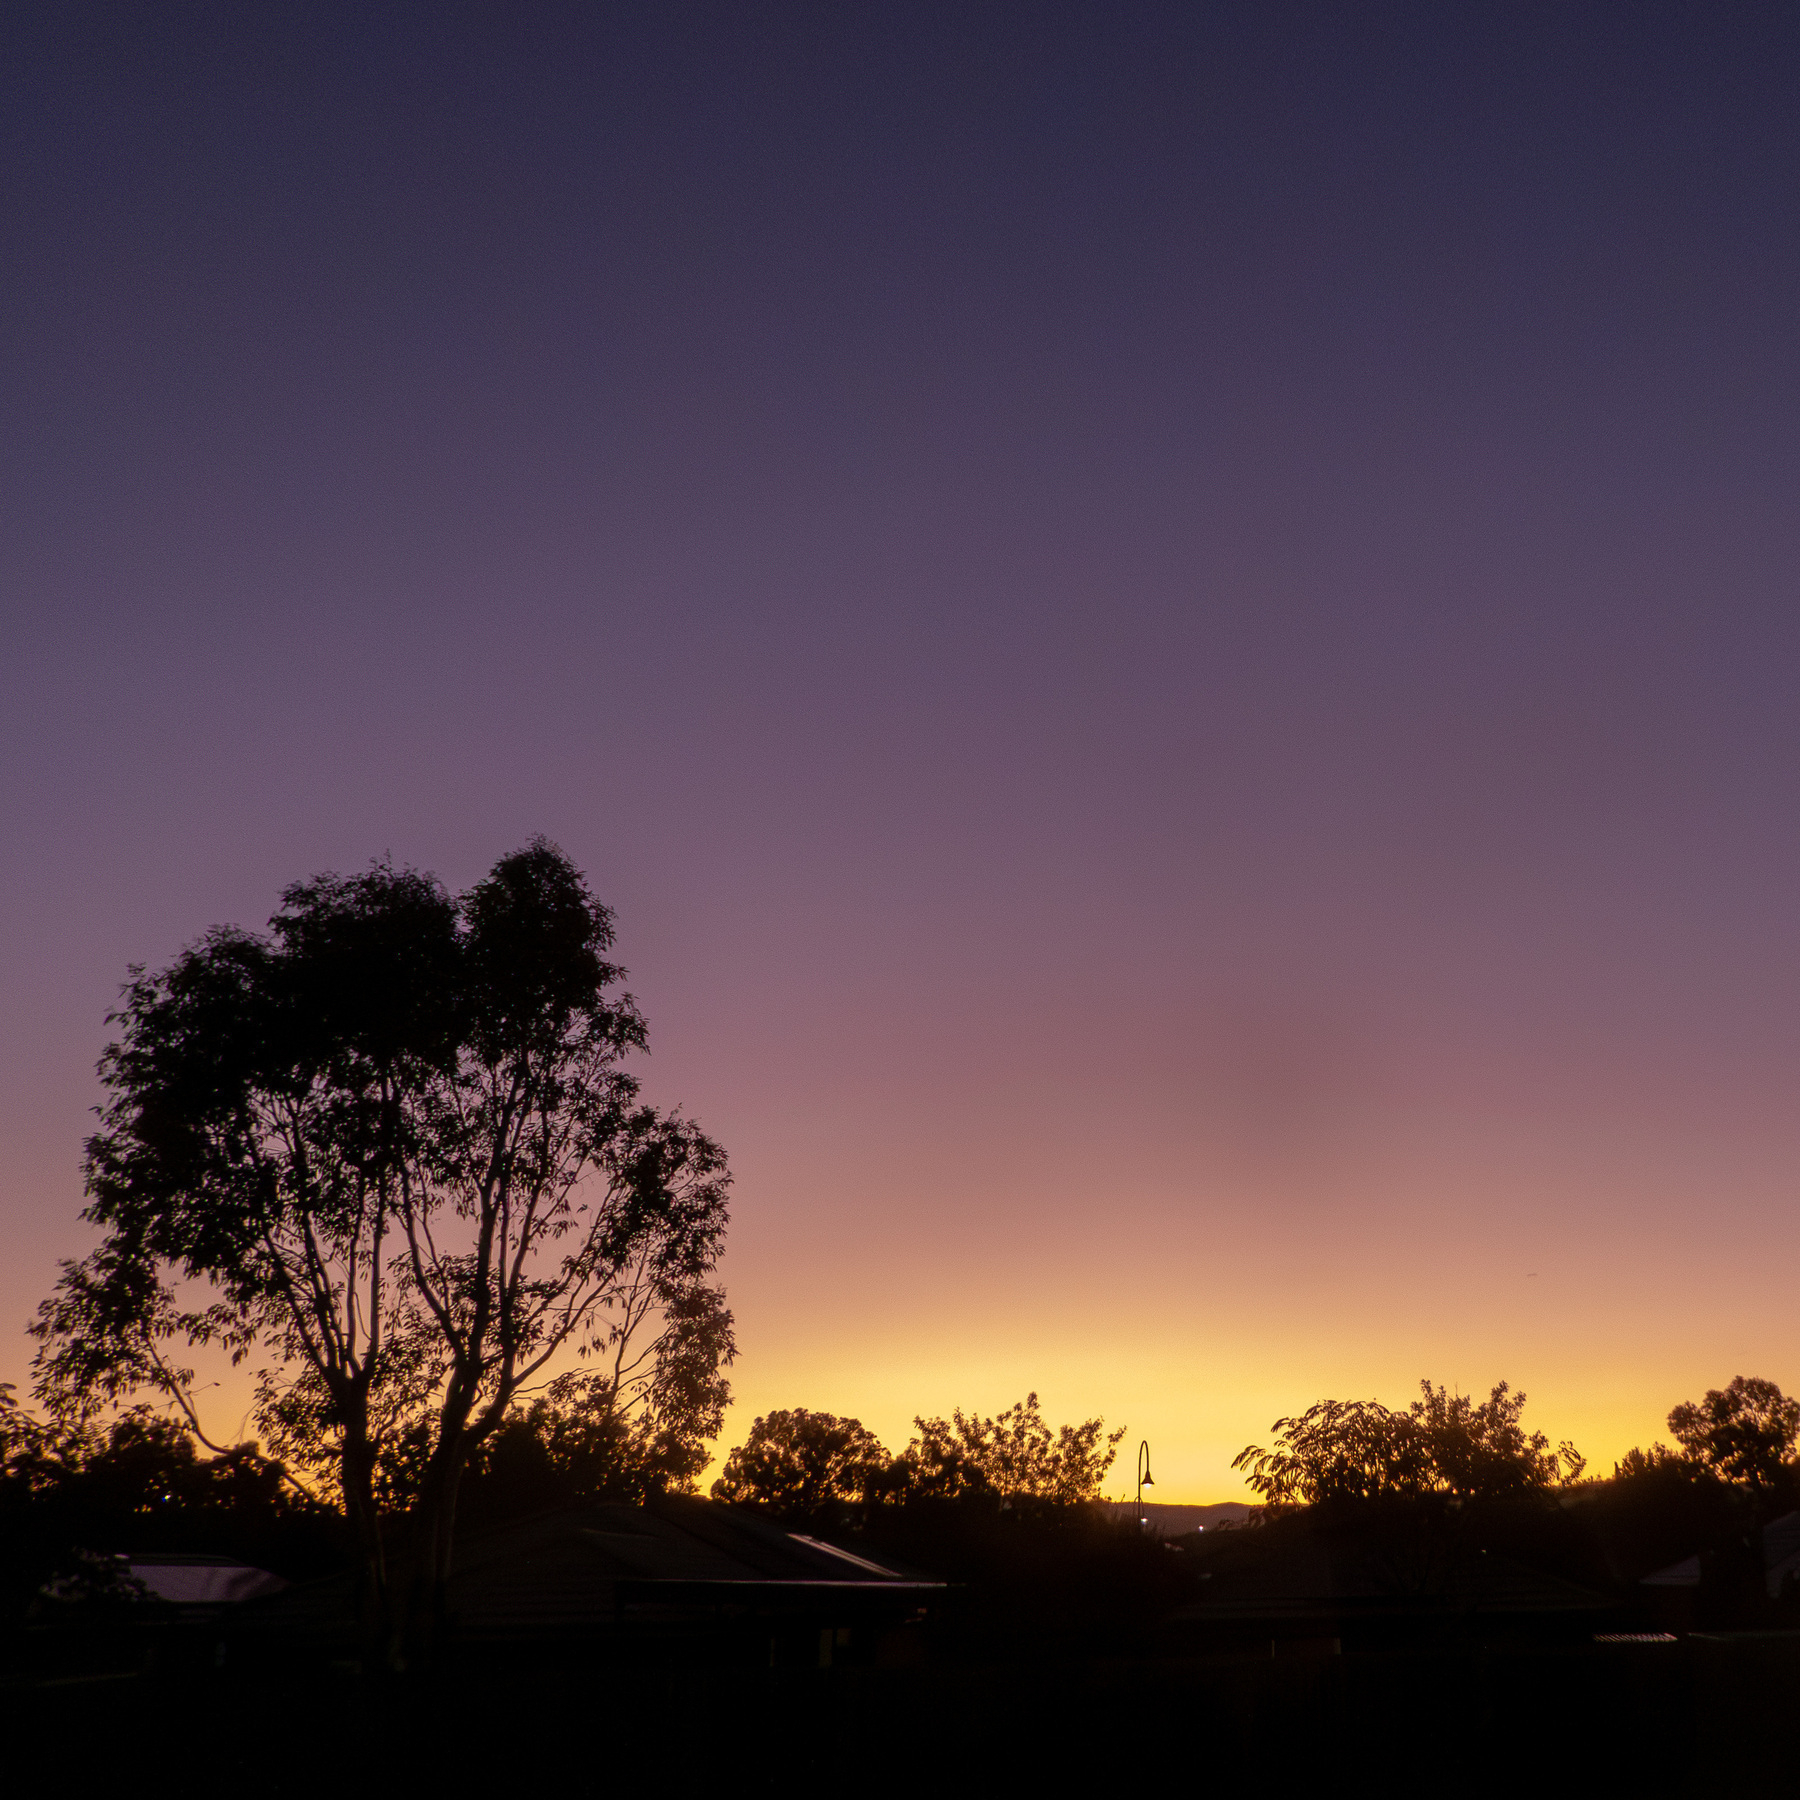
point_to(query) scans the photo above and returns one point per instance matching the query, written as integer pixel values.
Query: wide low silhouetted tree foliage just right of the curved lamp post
(1444, 1444)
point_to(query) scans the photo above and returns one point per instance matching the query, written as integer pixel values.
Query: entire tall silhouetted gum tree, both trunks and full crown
(391, 1153)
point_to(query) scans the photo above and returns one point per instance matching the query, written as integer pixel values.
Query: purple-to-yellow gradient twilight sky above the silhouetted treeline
(1173, 631)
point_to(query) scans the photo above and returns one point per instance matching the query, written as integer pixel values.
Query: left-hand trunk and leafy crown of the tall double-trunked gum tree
(264, 1102)
